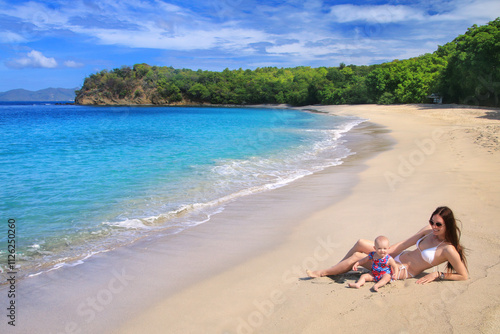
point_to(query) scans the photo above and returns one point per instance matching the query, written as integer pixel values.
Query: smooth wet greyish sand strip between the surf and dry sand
(145, 272)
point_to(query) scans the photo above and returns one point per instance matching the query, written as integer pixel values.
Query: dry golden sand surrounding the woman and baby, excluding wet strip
(451, 166)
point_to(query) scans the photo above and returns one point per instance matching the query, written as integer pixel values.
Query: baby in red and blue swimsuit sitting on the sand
(383, 267)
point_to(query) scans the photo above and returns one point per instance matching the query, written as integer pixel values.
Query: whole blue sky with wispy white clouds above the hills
(58, 43)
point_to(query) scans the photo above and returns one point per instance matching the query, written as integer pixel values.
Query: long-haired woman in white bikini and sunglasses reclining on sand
(436, 243)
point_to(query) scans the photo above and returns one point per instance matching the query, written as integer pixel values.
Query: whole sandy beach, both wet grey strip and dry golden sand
(257, 286)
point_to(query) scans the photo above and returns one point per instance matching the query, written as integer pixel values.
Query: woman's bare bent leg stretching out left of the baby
(360, 249)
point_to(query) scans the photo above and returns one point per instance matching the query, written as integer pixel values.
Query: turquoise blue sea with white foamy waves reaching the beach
(81, 180)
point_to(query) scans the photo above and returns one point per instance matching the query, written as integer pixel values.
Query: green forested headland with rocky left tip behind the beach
(465, 70)
